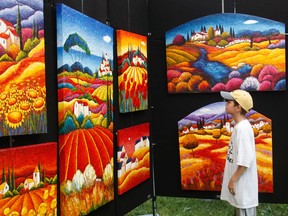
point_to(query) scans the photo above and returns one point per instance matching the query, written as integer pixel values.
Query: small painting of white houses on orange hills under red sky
(133, 156)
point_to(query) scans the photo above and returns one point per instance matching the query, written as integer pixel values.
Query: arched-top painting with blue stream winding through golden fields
(226, 51)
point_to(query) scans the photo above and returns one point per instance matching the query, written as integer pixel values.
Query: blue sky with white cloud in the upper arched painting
(236, 21)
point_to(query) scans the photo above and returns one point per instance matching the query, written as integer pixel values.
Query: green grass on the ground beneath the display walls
(175, 206)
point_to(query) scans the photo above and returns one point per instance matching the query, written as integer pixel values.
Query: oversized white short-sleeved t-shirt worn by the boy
(241, 152)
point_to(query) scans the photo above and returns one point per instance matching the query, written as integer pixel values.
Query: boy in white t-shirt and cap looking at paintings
(240, 180)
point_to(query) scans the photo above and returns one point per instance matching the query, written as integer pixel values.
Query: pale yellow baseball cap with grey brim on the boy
(242, 97)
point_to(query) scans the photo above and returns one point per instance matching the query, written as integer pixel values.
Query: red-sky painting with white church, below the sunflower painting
(28, 180)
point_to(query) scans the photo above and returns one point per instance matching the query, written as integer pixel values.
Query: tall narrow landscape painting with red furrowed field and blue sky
(85, 111)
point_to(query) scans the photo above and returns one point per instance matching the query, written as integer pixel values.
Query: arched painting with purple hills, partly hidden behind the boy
(203, 144)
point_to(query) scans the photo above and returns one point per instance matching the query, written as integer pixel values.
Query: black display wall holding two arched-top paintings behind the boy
(199, 159)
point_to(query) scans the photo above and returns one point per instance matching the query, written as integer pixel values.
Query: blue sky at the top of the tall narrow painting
(98, 36)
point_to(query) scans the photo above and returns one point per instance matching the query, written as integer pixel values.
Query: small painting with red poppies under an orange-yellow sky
(132, 71)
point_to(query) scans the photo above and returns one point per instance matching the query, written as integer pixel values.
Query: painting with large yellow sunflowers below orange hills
(22, 68)
